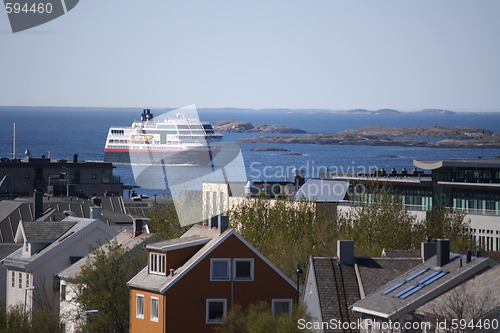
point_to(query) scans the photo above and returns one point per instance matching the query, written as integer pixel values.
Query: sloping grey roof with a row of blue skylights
(395, 298)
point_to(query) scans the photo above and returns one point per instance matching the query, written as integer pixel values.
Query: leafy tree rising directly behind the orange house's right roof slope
(285, 231)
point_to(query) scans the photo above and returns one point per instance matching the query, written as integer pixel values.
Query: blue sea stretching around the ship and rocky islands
(62, 132)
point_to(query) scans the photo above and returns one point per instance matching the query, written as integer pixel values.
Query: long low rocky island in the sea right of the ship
(449, 137)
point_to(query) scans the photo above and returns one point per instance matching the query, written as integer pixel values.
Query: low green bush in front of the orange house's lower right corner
(258, 318)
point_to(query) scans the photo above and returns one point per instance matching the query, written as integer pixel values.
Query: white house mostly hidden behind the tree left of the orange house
(70, 312)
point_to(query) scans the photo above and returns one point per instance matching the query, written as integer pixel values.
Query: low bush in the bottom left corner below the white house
(17, 320)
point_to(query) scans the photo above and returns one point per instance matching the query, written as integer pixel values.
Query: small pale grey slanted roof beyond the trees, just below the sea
(322, 190)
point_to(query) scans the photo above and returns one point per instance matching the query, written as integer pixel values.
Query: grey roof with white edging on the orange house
(161, 283)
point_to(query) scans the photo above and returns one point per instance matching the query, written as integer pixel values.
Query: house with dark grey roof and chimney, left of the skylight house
(334, 284)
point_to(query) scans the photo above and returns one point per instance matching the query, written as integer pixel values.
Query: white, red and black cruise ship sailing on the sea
(173, 139)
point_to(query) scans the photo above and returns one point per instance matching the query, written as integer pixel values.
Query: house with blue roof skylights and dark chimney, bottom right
(399, 301)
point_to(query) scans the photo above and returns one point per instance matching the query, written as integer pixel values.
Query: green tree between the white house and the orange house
(102, 285)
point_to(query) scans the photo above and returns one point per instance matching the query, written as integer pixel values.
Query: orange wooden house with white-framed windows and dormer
(191, 282)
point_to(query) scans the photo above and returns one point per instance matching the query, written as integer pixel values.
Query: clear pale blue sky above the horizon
(333, 54)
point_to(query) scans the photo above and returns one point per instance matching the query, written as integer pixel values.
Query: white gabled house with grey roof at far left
(47, 248)
